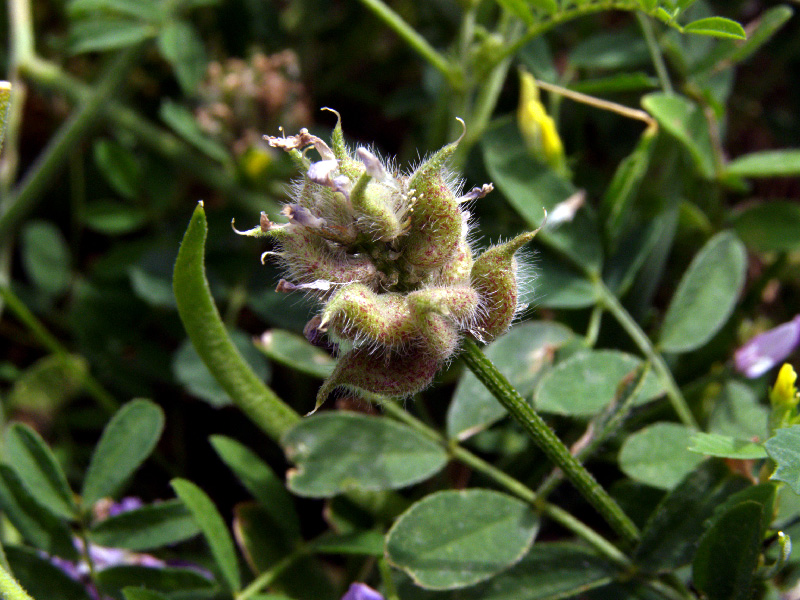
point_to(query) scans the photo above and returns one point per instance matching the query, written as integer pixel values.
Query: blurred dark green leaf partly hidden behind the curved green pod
(192, 373)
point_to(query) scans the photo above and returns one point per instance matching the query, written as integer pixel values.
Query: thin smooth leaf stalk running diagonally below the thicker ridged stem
(514, 486)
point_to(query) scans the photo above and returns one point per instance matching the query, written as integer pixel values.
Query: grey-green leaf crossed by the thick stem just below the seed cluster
(523, 355)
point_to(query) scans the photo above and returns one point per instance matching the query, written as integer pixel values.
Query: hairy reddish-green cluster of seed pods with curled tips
(388, 257)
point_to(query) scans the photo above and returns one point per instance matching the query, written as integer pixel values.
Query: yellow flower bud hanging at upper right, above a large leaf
(537, 127)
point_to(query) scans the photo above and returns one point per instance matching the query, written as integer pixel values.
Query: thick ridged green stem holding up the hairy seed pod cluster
(548, 442)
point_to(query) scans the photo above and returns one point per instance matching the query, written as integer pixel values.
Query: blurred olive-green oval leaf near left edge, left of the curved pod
(48, 384)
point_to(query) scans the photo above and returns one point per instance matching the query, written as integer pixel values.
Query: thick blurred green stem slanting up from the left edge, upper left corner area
(66, 140)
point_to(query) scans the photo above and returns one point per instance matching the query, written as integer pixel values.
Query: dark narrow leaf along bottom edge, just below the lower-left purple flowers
(167, 580)
